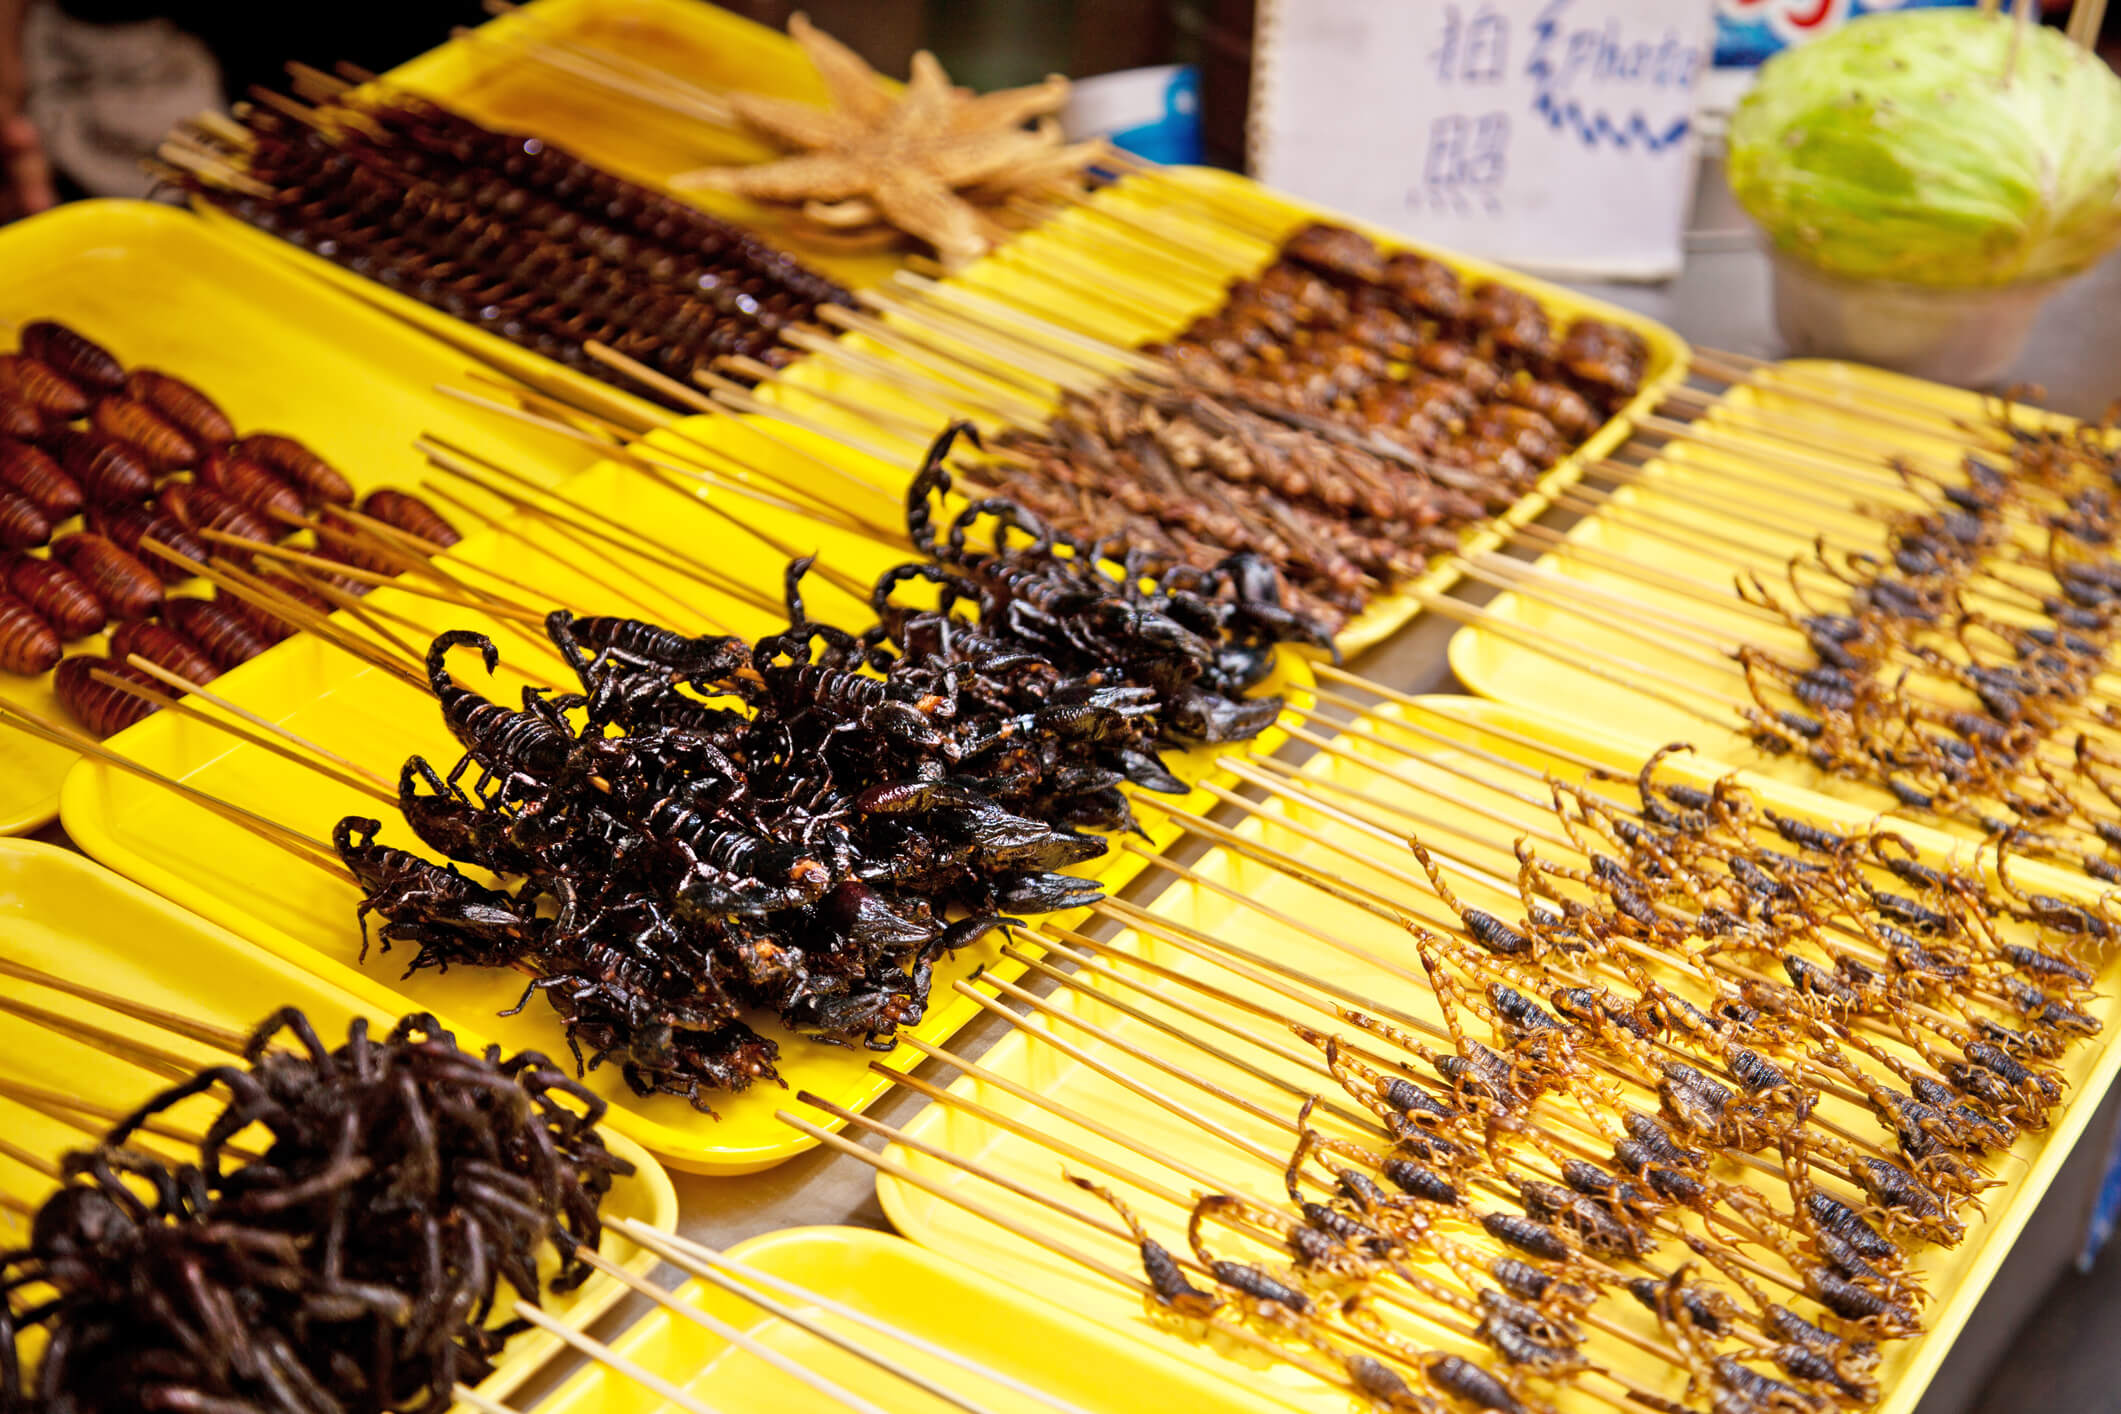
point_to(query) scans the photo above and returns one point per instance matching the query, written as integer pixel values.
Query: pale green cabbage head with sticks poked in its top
(1912, 147)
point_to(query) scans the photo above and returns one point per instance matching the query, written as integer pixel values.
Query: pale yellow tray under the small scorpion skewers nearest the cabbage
(1700, 544)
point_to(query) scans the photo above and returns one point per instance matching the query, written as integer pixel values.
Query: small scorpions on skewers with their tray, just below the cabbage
(1942, 637)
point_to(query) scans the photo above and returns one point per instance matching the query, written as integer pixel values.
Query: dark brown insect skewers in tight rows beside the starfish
(504, 232)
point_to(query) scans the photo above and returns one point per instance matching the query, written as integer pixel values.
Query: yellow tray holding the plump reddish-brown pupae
(279, 353)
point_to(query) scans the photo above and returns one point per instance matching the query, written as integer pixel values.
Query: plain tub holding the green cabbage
(1948, 336)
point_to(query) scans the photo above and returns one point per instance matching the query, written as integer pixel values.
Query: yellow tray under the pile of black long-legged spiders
(71, 917)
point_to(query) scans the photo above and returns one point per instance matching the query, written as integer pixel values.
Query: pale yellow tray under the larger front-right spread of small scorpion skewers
(1955, 1277)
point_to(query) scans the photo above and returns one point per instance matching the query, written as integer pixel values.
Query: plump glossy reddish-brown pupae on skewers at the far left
(158, 478)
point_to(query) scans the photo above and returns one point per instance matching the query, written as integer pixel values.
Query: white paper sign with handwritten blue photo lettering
(1554, 135)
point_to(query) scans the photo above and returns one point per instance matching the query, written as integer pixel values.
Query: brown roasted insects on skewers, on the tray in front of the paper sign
(1346, 414)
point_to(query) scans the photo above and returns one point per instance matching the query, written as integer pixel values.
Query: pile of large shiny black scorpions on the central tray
(803, 826)
